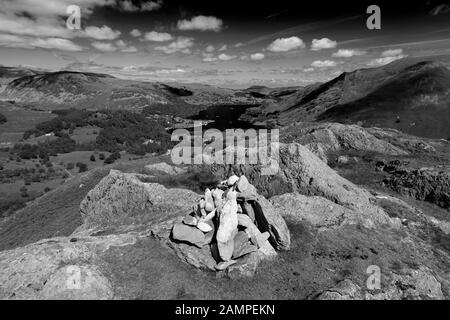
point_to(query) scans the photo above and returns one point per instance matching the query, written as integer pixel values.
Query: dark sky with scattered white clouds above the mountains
(229, 43)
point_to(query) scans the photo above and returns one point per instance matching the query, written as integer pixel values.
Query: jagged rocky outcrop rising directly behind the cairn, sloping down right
(303, 172)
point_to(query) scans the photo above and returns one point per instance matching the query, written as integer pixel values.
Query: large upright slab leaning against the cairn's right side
(269, 219)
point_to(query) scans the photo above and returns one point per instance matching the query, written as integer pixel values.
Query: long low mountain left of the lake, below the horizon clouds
(69, 89)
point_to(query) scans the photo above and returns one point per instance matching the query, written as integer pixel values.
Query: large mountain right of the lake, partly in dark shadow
(409, 95)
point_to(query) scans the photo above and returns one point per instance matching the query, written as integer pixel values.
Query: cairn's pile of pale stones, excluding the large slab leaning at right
(225, 220)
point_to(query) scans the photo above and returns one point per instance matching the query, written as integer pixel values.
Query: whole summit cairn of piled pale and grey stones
(238, 226)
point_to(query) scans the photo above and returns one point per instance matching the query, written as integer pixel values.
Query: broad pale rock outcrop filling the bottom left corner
(59, 268)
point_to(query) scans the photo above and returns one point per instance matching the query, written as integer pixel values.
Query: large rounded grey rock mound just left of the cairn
(122, 198)
